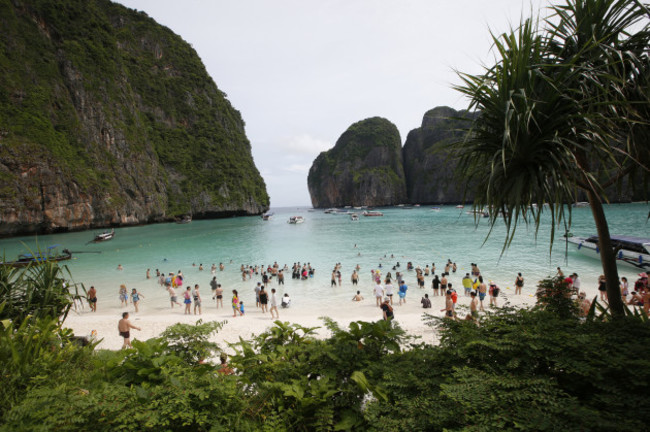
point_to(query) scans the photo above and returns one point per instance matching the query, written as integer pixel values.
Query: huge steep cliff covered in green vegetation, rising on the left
(107, 118)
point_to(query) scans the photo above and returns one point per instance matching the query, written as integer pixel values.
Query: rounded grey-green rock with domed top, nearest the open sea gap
(363, 168)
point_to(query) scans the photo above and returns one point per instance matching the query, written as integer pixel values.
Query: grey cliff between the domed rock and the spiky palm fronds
(428, 164)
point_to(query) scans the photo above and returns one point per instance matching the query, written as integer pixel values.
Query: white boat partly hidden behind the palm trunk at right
(631, 251)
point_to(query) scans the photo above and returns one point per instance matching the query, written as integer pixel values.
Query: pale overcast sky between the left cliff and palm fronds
(302, 71)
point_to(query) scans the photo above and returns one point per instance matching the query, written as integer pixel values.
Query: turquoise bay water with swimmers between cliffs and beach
(419, 235)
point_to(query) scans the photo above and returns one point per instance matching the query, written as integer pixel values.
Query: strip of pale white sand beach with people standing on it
(153, 317)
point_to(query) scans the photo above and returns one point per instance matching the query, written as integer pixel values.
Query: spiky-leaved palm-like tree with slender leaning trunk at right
(564, 109)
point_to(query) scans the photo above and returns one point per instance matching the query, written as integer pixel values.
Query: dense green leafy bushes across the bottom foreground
(539, 369)
